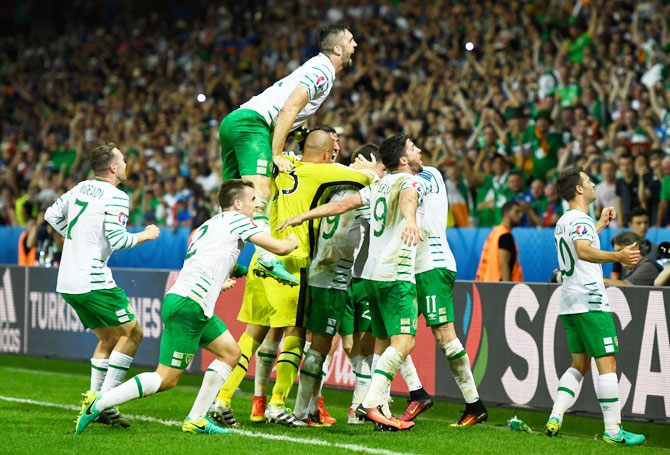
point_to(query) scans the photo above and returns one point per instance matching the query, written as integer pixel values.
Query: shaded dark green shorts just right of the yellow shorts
(325, 313)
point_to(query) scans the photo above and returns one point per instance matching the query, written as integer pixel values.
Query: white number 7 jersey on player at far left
(92, 218)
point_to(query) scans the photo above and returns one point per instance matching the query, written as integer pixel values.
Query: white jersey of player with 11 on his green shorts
(434, 252)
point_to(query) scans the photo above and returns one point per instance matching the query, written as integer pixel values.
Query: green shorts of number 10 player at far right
(592, 332)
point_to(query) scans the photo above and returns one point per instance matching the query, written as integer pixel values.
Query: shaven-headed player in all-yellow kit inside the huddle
(269, 304)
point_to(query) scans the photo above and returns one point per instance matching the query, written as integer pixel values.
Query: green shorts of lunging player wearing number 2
(186, 328)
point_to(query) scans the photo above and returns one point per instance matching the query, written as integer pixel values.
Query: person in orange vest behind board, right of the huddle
(500, 255)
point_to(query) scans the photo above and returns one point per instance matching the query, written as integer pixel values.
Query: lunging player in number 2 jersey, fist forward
(188, 311)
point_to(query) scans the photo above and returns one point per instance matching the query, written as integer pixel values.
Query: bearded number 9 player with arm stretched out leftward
(389, 269)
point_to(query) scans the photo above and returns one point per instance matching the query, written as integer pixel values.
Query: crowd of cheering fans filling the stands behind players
(501, 96)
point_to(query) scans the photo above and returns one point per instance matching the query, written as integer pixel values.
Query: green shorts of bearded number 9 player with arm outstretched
(393, 307)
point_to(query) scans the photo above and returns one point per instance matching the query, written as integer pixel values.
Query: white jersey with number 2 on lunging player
(211, 257)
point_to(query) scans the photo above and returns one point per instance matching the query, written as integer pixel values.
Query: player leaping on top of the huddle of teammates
(253, 136)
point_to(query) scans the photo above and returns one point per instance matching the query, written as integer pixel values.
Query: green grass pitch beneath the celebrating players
(30, 428)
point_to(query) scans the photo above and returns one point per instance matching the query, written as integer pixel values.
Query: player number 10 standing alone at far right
(585, 310)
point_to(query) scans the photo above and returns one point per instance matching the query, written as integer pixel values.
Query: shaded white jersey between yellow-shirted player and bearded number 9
(339, 238)
